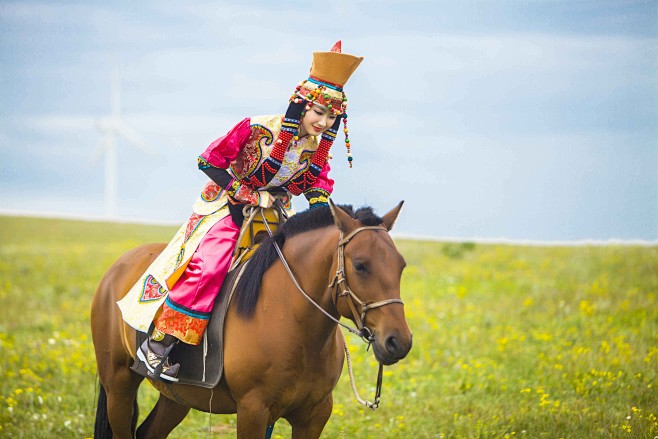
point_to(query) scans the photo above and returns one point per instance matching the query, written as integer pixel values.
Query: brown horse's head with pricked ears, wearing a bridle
(368, 289)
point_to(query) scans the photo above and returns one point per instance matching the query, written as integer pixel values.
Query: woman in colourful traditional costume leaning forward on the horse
(253, 164)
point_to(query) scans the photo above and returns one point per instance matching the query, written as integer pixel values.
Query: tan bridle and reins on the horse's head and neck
(365, 333)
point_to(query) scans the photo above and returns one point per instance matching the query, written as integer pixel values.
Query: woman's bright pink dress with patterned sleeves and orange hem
(187, 308)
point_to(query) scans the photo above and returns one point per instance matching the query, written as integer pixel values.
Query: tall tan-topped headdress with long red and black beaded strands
(324, 86)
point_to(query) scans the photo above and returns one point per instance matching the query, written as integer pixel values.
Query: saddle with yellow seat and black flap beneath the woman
(203, 365)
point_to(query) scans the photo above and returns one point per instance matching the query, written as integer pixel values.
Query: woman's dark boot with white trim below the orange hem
(154, 352)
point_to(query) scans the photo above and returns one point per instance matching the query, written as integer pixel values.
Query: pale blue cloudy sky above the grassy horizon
(491, 119)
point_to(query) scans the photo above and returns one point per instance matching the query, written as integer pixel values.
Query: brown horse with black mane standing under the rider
(283, 357)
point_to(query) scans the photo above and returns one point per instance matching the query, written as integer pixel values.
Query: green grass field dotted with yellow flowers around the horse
(530, 342)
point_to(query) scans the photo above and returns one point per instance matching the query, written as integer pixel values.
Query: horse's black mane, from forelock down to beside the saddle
(311, 219)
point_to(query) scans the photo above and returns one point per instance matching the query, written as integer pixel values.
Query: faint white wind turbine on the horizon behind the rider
(111, 128)
